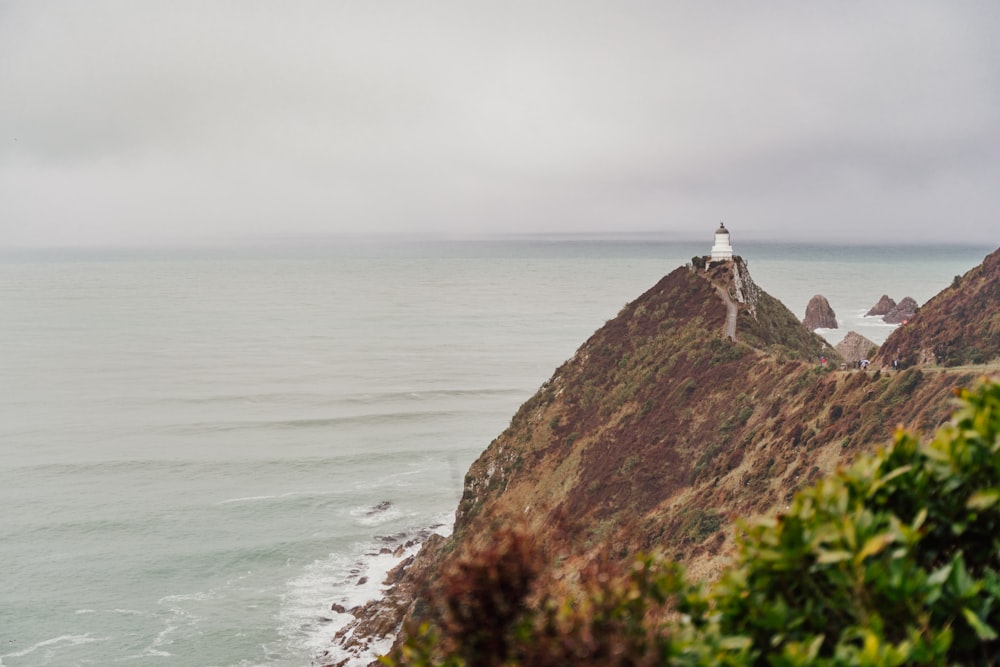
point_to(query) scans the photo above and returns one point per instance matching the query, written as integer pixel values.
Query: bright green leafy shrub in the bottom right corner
(895, 560)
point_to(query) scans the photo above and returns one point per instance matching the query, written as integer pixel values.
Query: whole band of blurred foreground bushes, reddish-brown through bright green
(895, 560)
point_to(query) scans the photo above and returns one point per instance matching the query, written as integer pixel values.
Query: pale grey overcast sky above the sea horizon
(196, 122)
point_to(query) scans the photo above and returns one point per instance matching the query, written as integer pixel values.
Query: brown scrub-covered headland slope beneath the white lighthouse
(661, 431)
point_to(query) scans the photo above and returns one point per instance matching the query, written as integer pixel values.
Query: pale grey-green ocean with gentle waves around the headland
(201, 451)
